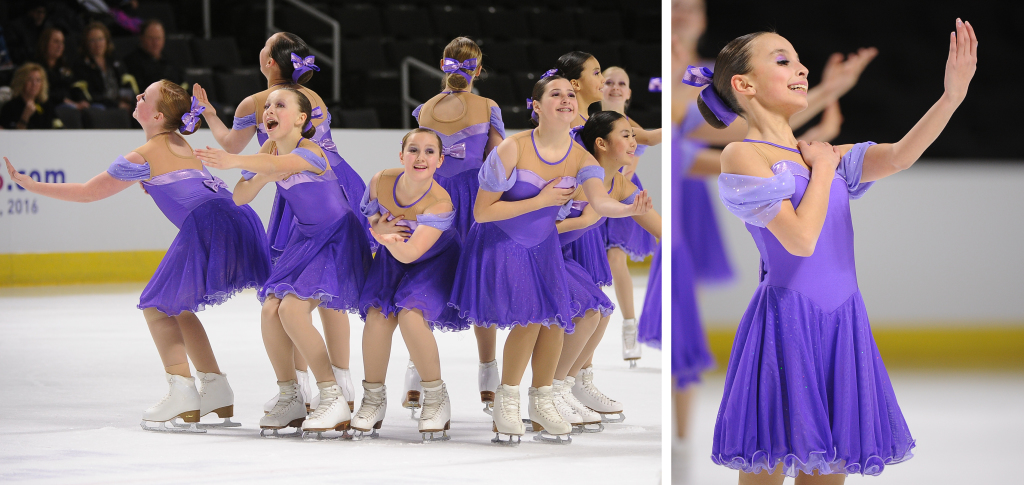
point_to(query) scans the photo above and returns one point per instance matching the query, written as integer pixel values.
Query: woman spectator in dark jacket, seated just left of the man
(101, 80)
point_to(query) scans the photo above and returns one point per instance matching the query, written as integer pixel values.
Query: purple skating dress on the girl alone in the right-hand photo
(806, 388)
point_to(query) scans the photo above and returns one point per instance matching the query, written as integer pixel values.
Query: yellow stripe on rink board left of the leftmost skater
(78, 269)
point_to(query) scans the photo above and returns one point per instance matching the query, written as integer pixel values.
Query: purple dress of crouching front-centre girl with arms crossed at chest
(424, 285)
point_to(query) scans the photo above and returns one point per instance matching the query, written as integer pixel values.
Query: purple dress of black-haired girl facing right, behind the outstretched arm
(585, 293)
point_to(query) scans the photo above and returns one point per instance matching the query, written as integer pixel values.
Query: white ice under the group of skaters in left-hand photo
(79, 369)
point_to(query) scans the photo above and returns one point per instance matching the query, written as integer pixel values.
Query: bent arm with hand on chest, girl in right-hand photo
(798, 230)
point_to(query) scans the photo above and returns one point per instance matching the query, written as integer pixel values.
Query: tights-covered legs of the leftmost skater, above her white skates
(179, 339)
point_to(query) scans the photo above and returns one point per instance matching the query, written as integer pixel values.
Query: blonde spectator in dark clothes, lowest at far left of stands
(28, 108)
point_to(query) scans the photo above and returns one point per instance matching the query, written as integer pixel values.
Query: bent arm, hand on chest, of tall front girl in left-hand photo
(490, 207)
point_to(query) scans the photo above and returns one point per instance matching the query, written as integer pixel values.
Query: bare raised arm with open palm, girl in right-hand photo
(884, 160)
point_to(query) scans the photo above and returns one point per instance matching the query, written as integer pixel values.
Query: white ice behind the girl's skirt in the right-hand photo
(968, 426)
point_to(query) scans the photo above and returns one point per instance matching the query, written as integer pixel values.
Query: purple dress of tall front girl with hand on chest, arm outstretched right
(513, 273)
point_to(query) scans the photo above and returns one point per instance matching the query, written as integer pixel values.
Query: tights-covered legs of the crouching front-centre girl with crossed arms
(415, 331)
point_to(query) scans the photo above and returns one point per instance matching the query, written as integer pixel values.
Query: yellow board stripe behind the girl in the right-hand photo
(950, 346)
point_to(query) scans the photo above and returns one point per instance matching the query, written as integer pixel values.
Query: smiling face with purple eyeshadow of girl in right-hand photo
(778, 78)
